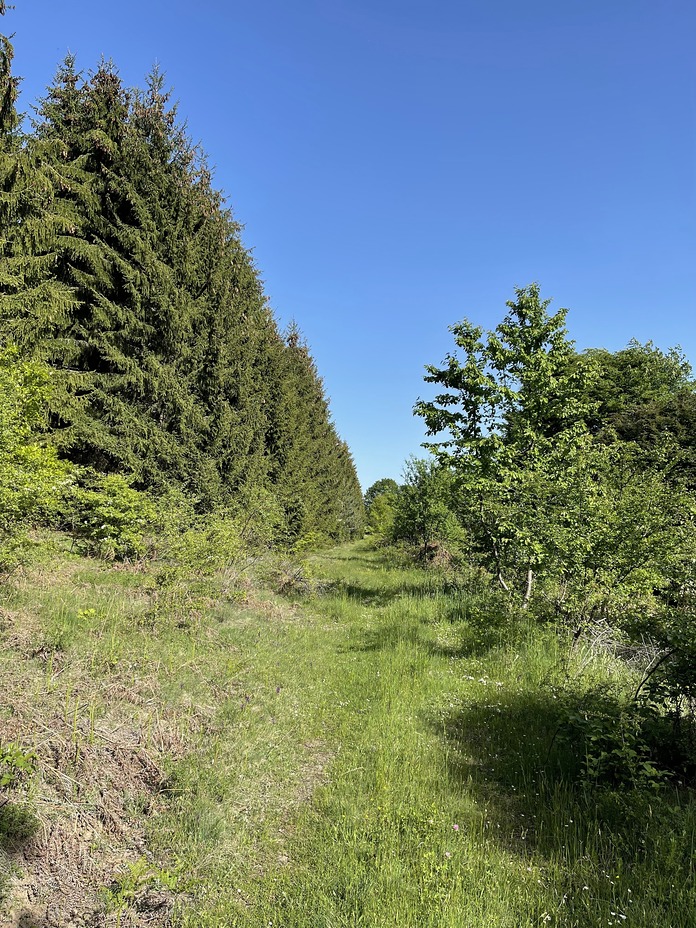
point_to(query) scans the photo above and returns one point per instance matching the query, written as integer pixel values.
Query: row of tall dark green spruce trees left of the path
(123, 271)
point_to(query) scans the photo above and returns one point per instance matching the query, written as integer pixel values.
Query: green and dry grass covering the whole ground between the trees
(384, 753)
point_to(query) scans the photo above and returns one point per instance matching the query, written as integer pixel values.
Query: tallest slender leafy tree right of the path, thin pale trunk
(510, 399)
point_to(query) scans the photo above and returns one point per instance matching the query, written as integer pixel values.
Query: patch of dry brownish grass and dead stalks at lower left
(80, 819)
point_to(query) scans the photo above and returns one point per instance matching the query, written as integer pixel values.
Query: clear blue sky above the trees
(400, 165)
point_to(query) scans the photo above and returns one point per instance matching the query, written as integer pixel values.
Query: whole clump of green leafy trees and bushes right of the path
(584, 527)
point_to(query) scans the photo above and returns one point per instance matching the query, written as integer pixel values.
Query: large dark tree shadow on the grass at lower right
(607, 842)
